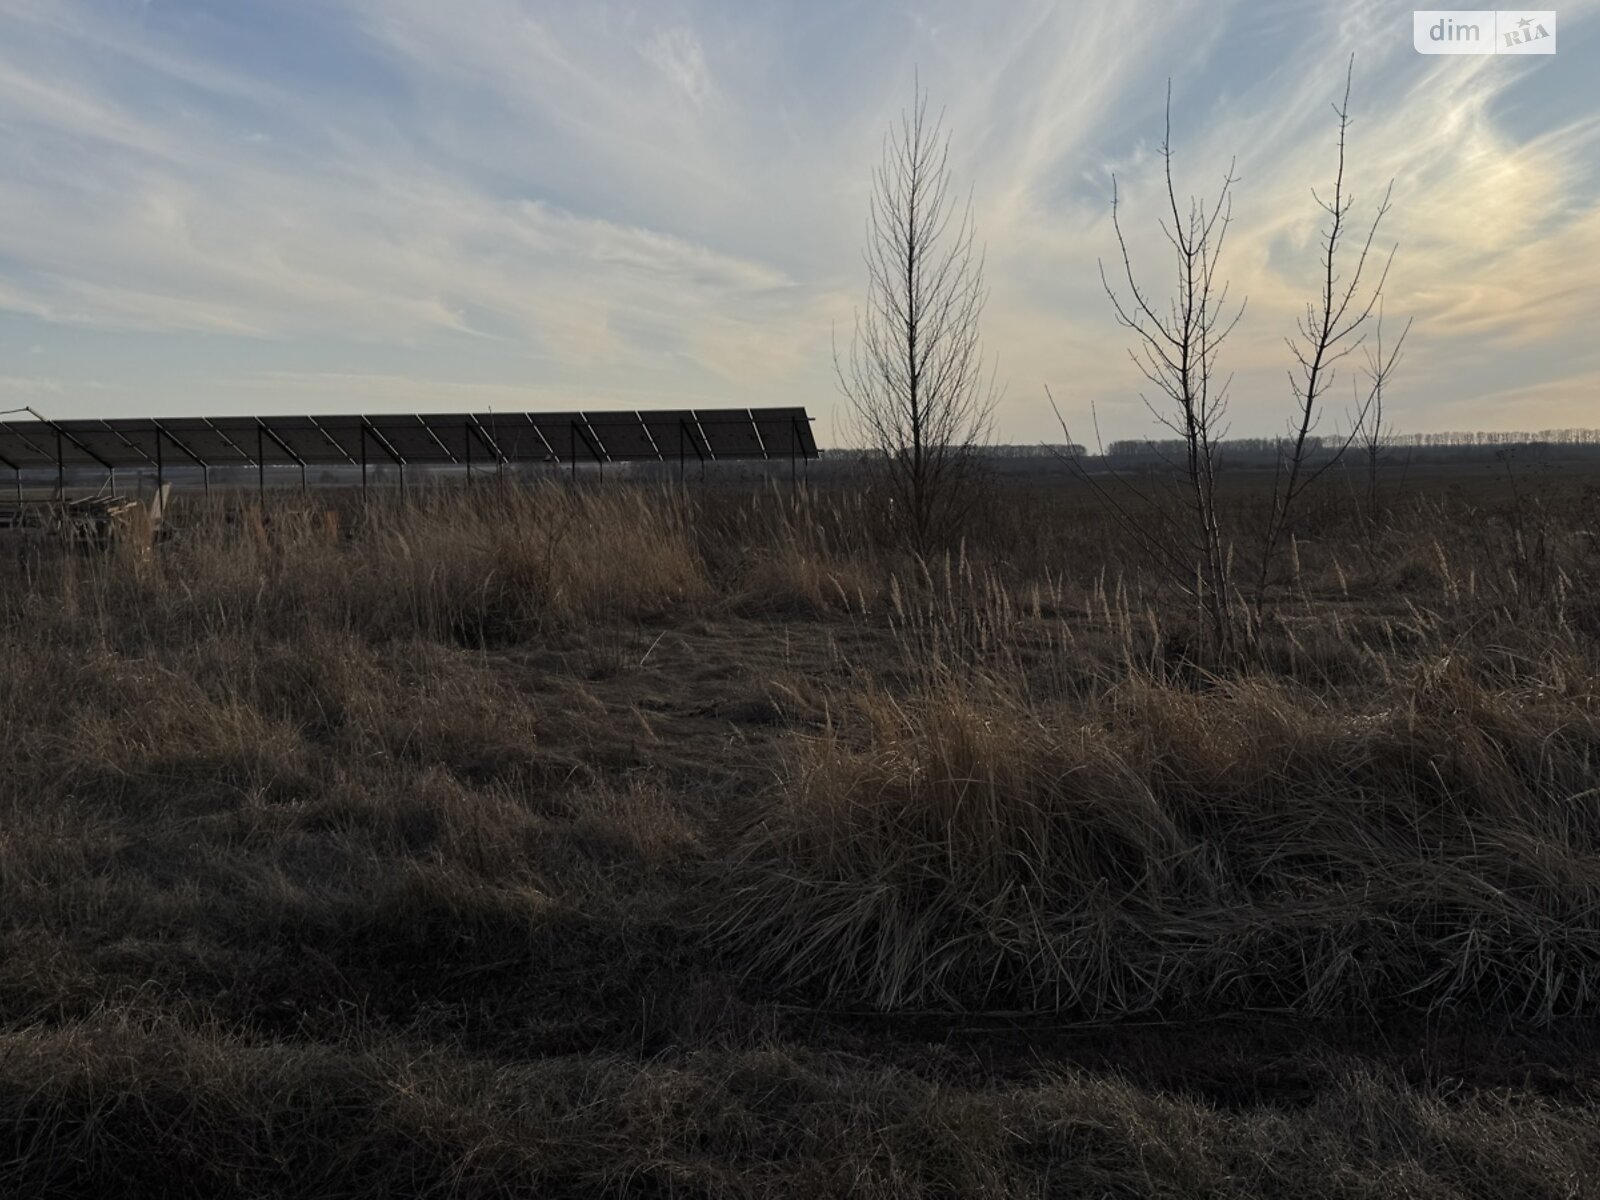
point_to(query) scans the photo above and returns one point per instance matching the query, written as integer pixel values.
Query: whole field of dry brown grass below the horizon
(580, 841)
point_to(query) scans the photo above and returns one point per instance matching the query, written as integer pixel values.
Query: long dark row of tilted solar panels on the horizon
(442, 439)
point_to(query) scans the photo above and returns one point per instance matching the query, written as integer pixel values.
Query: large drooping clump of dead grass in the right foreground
(1249, 847)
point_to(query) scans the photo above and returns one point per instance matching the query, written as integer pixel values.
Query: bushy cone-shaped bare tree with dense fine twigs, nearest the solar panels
(914, 375)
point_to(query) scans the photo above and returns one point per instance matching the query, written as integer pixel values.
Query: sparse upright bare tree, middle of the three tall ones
(1177, 348)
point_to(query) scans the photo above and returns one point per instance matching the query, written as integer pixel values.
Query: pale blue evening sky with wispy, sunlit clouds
(214, 207)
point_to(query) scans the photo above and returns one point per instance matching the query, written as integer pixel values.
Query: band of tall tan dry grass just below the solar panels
(460, 566)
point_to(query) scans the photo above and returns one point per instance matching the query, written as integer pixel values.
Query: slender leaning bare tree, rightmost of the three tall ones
(1334, 327)
